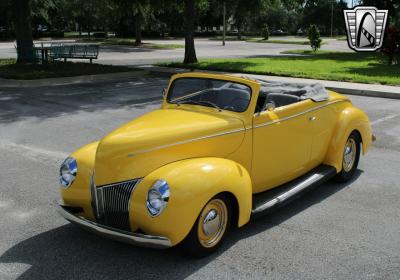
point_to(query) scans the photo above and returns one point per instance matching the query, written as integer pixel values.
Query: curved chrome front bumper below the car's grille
(116, 234)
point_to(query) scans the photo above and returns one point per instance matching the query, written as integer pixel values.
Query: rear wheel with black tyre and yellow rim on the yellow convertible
(351, 156)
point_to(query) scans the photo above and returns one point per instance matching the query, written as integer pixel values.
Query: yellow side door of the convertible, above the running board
(282, 141)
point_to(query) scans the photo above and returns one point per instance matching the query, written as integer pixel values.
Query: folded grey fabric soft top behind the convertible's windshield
(315, 92)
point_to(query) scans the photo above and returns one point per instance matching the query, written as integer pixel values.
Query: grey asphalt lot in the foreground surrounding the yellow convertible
(337, 231)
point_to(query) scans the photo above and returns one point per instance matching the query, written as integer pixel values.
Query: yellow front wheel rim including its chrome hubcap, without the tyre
(213, 221)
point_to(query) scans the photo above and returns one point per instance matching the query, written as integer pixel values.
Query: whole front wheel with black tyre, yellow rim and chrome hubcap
(210, 229)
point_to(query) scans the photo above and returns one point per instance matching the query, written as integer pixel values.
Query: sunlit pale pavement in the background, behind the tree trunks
(205, 48)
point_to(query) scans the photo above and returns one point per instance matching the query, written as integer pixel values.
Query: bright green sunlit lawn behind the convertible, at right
(324, 65)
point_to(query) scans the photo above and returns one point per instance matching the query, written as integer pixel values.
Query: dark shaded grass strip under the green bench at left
(10, 70)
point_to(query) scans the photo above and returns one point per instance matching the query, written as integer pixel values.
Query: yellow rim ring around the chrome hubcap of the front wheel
(219, 206)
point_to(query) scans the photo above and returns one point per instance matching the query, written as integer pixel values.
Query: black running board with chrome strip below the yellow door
(270, 200)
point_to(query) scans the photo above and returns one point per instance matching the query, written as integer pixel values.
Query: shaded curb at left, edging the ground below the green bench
(72, 80)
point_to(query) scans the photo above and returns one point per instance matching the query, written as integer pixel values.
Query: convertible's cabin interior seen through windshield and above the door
(236, 97)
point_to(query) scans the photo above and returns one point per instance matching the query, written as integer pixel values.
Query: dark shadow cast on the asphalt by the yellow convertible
(67, 252)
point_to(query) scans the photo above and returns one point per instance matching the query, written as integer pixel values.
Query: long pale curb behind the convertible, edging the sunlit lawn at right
(342, 87)
